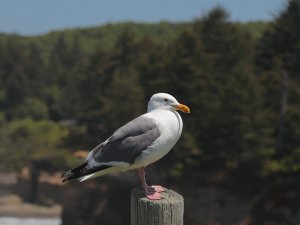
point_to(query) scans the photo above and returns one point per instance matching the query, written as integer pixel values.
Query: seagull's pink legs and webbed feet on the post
(151, 192)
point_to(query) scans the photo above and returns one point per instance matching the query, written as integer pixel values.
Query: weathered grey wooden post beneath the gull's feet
(166, 211)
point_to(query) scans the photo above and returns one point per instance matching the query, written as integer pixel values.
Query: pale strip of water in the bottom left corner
(29, 221)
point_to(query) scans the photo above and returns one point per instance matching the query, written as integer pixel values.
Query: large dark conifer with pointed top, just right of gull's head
(210, 66)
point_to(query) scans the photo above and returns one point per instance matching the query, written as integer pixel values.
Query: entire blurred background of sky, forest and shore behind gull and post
(72, 72)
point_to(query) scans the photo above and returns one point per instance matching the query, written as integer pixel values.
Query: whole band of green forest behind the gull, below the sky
(242, 85)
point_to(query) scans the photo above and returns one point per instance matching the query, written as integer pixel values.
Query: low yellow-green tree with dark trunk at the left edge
(36, 144)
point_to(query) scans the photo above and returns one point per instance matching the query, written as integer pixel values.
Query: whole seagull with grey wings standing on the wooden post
(137, 144)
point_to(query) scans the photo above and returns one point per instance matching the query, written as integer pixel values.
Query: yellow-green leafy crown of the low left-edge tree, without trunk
(25, 140)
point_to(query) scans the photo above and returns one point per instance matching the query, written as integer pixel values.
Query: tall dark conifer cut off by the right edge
(277, 55)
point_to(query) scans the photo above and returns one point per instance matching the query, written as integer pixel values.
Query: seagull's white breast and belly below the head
(170, 126)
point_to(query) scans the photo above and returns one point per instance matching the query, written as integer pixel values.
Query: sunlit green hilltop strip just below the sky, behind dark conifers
(104, 37)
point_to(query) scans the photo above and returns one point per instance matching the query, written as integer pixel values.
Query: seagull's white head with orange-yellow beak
(166, 101)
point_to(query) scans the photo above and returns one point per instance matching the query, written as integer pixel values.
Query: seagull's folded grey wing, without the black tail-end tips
(127, 143)
